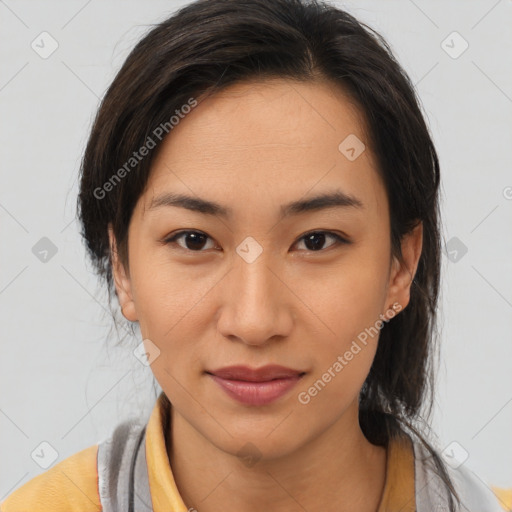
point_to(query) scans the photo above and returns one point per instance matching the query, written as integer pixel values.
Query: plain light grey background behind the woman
(61, 382)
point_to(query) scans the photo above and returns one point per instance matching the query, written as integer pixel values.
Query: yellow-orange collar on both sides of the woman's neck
(398, 491)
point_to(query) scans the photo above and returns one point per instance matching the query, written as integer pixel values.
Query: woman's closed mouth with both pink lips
(256, 386)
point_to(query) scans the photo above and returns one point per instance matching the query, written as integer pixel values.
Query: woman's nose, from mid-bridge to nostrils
(257, 304)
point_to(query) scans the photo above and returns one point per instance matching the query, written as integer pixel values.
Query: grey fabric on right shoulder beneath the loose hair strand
(474, 493)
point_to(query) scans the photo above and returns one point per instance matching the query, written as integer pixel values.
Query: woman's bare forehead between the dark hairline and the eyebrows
(274, 139)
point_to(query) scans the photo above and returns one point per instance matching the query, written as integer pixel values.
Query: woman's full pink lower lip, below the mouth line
(256, 393)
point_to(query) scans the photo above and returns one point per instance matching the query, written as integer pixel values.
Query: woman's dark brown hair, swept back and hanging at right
(210, 44)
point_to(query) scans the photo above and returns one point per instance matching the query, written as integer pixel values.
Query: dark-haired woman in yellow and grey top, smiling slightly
(260, 189)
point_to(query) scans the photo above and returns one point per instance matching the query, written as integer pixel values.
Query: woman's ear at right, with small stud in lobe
(401, 276)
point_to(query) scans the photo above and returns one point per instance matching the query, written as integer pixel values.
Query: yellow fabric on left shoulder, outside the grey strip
(70, 486)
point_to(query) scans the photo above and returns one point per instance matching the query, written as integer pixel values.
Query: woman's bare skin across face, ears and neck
(254, 147)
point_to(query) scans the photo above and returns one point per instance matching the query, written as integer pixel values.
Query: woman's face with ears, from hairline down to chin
(248, 287)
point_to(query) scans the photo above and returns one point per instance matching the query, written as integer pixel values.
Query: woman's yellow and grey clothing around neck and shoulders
(130, 472)
